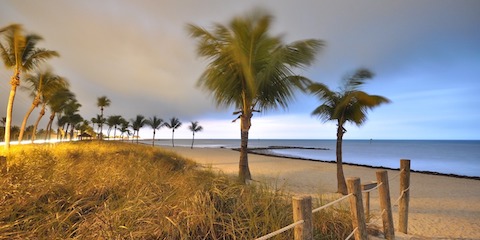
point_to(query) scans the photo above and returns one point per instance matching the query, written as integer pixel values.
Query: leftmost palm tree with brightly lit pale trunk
(18, 51)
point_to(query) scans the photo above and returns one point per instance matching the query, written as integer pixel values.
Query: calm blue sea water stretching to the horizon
(443, 156)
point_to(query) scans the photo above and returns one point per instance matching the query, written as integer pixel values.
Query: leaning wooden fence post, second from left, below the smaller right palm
(356, 208)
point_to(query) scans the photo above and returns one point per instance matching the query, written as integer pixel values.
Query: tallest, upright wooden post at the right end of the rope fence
(405, 195)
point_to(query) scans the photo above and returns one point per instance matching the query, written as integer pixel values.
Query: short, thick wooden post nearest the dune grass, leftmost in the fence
(302, 210)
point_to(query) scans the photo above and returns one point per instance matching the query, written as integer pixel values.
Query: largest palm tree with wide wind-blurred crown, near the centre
(251, 69)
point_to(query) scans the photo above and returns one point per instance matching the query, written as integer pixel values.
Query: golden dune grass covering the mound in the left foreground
(113, 190)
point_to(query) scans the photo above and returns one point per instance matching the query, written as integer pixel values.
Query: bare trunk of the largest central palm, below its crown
(244, 170)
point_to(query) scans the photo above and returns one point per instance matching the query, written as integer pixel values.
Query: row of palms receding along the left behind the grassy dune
(48, 90)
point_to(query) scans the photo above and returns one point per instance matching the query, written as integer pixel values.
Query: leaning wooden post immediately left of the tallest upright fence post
(385, 204)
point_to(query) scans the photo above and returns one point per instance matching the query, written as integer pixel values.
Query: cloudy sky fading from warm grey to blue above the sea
(425, 56)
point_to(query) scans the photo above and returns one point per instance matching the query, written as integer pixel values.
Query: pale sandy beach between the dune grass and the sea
(441, 207)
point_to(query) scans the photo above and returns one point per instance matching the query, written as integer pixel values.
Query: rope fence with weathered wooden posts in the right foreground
(302, 207)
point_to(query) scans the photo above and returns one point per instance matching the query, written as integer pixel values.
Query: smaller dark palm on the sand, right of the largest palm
(347, 105)
